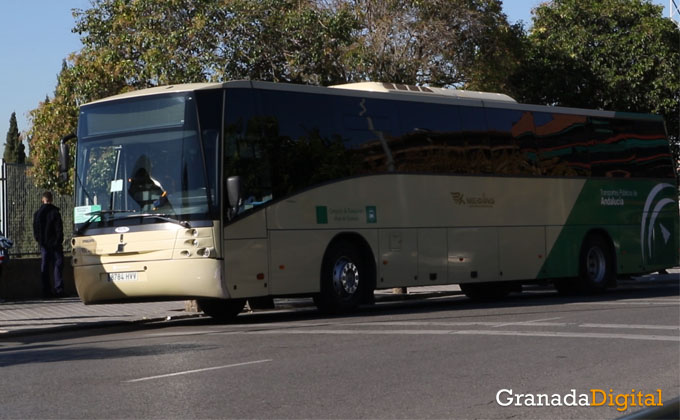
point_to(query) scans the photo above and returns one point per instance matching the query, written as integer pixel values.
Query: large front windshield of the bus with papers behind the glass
(140, 161)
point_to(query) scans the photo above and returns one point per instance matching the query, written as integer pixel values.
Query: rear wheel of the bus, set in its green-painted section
(597, 265)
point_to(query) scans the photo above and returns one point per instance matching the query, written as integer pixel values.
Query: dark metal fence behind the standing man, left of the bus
(20, 199)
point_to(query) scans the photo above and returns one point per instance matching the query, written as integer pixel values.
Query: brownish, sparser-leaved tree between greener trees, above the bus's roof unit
(466, 43)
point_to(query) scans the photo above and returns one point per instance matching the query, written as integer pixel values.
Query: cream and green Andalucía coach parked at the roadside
(224, 192)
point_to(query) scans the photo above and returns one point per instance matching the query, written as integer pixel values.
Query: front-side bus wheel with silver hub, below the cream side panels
(344, 276)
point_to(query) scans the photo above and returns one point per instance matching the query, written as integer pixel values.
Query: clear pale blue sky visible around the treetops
(36, 37)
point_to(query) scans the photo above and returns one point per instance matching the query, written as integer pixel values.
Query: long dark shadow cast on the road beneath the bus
(430, 304)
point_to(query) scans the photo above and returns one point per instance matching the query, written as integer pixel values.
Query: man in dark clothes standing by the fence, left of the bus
(49, 232)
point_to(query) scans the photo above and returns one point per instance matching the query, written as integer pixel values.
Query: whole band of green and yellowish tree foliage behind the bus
(612, 54)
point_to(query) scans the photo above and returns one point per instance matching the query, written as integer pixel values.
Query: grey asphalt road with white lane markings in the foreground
(437, 358)
